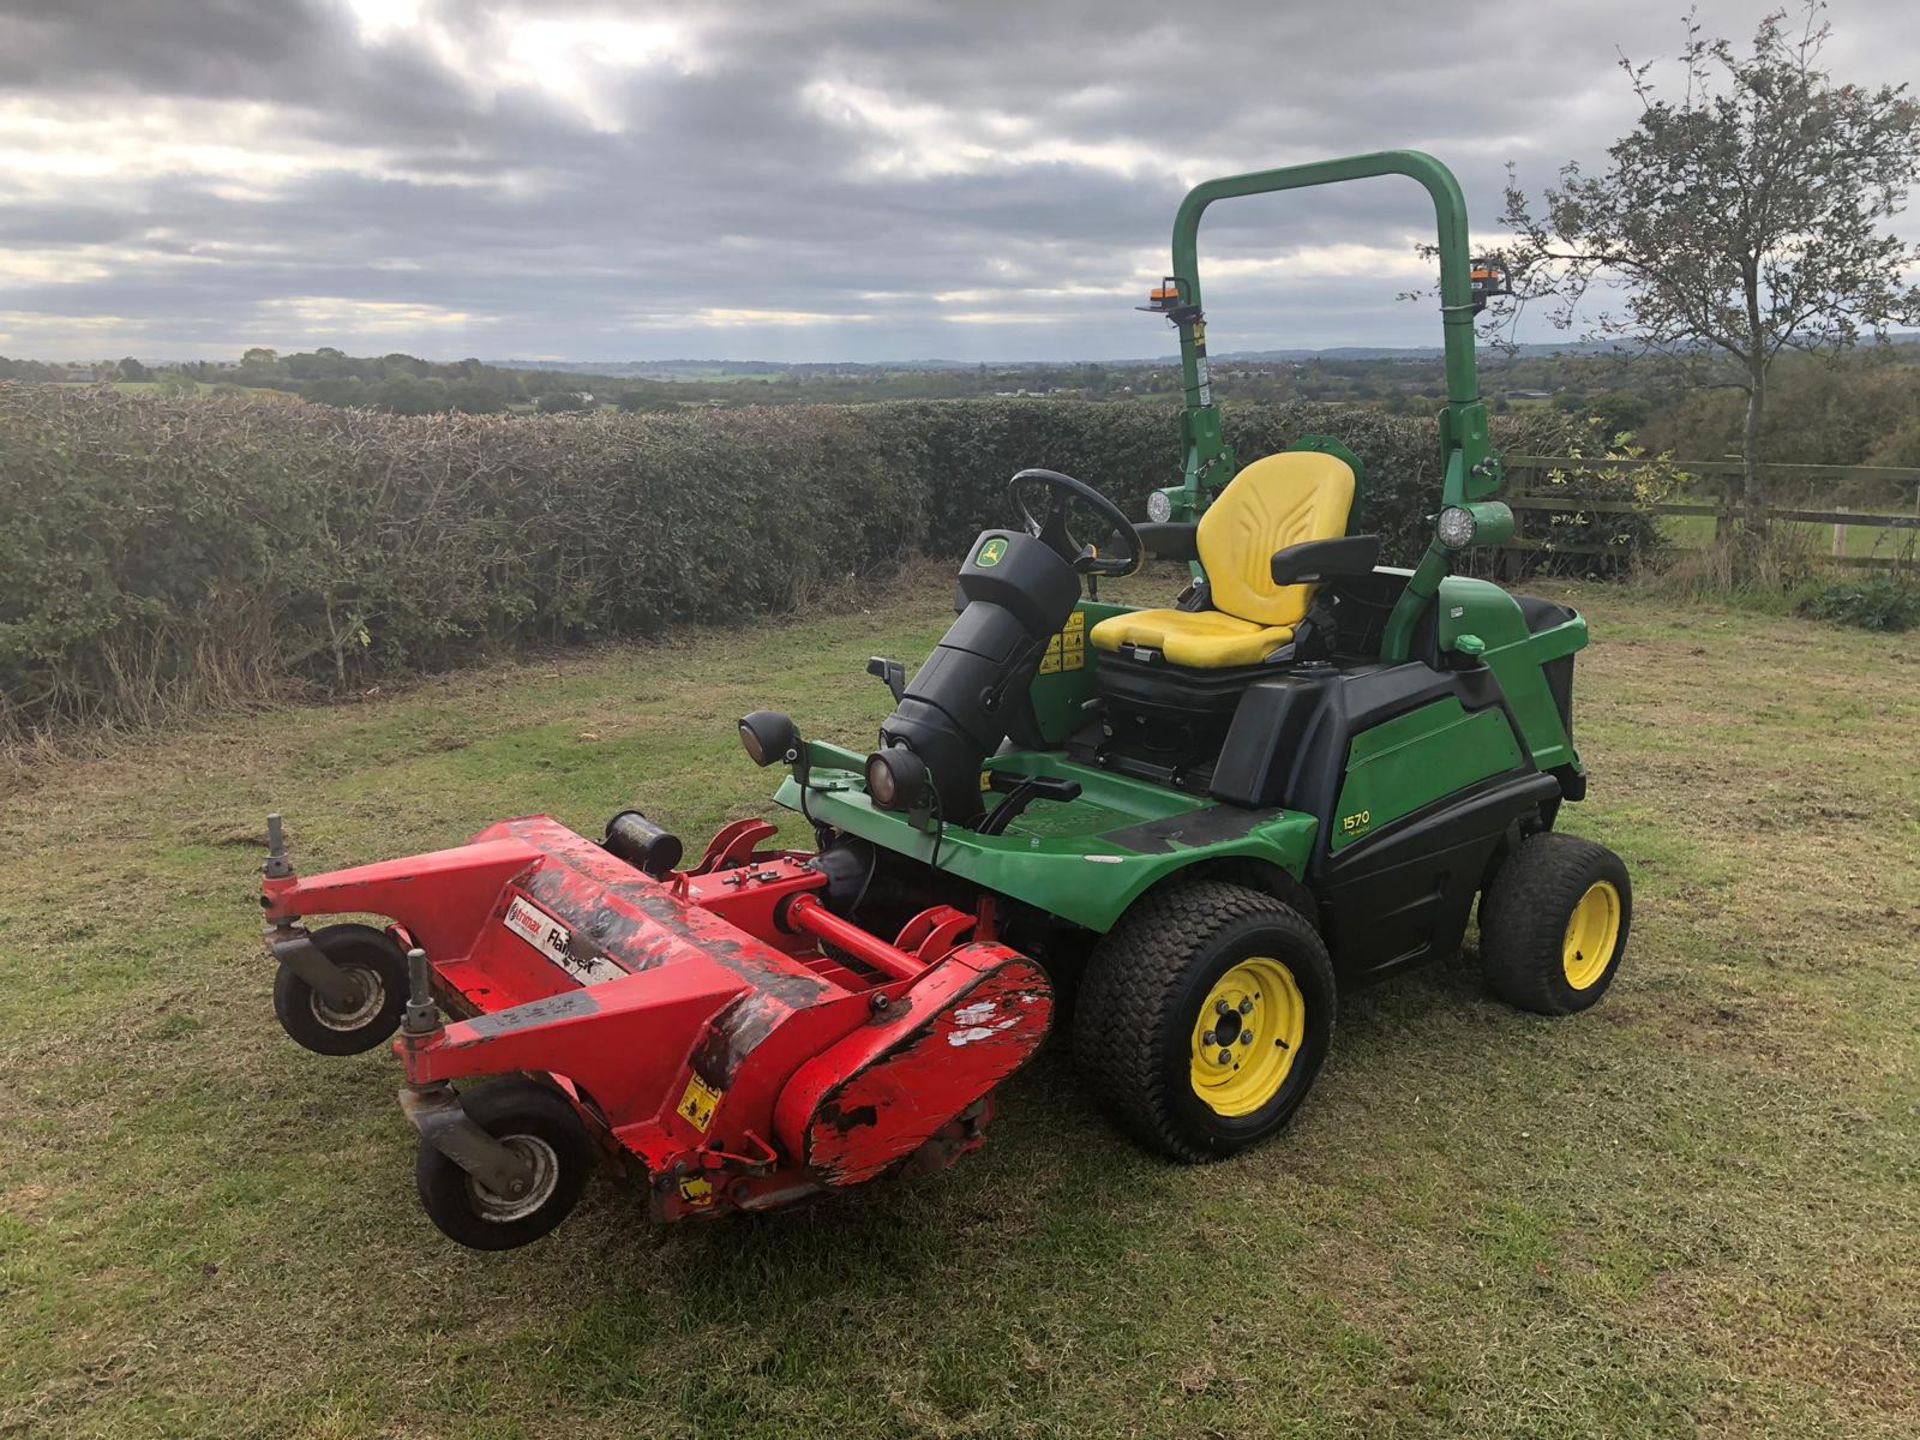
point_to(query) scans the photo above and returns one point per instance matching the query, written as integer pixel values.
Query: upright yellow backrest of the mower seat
(1276, 502)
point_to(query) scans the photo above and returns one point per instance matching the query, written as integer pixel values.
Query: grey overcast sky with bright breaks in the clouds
(817, 180)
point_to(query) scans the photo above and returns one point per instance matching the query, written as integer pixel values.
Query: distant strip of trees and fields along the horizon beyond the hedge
(1863, 410)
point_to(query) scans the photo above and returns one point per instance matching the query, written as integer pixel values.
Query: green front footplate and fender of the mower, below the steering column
(1057, 857)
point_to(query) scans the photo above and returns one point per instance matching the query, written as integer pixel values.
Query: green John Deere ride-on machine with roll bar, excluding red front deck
(1297, 777)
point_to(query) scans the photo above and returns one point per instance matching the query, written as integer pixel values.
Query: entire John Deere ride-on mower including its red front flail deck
(1209, 817)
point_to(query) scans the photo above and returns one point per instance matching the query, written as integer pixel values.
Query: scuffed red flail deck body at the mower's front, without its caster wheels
(731, 1053)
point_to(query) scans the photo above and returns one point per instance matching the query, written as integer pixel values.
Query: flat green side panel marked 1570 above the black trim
(1416, 759)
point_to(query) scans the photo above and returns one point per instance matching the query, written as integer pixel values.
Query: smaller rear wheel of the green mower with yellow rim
(1554, 924)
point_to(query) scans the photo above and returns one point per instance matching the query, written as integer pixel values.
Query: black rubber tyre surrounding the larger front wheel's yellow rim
(1143, 992)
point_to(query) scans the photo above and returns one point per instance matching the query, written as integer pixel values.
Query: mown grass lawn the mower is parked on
(1694, 1211)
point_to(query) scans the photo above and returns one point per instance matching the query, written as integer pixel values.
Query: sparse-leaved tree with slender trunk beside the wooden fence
(1742, 218)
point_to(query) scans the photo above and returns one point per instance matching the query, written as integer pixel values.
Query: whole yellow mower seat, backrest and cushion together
(1278, 502)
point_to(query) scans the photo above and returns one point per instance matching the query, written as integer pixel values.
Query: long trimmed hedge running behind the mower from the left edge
(183, 552)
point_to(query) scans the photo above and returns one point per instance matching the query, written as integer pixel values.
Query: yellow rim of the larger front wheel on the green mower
(1247, 1036)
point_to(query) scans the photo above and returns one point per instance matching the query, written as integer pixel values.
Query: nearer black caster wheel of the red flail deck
(540, 1126)
